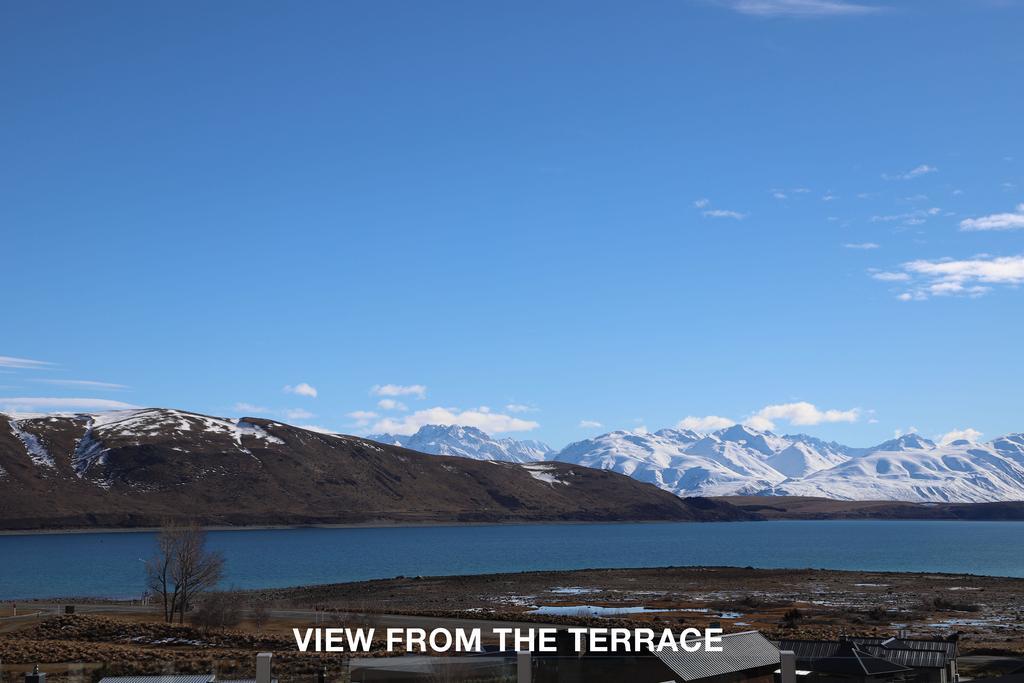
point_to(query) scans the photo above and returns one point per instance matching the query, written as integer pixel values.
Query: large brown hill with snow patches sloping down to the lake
(139, 467)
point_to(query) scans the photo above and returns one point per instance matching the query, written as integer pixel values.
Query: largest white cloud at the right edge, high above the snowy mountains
(965, 278)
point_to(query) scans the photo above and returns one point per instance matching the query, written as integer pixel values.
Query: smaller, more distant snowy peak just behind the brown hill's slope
(468, 443)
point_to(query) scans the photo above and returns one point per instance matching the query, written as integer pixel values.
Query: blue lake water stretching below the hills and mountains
(110, 565)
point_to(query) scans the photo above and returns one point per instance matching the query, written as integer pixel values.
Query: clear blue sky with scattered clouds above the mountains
(548, 220)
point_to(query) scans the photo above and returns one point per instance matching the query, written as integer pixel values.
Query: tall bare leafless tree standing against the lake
(183, 568)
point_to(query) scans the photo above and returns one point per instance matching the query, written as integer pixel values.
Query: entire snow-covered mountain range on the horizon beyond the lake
(741, 460)
